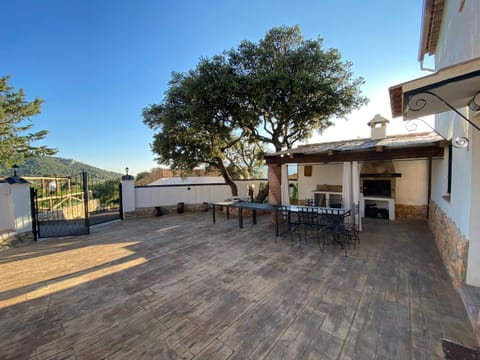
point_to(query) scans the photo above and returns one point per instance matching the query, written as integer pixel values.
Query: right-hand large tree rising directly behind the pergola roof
(292, 86)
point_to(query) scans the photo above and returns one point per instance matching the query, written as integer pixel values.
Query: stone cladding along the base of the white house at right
(451, 244)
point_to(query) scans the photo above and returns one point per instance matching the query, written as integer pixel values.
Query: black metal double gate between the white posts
(64, 206)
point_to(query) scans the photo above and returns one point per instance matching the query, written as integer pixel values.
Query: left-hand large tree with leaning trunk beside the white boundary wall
(198, 120)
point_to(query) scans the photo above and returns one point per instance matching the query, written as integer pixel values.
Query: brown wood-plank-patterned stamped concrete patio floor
(178, 286)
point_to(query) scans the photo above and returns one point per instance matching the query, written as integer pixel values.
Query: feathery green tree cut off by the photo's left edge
(15, 124)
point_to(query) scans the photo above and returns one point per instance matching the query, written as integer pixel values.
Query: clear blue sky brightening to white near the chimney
(97, 64)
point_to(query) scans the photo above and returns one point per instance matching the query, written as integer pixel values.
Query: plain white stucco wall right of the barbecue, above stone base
(412, 186)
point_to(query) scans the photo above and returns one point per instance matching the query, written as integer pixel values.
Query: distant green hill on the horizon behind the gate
(55, 166)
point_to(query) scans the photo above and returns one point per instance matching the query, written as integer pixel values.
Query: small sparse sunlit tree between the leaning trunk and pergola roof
(245, 159)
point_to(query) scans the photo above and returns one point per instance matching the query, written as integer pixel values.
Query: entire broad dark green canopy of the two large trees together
(277, 91)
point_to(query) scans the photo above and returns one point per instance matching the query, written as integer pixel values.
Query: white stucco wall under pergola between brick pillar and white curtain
(330, 174)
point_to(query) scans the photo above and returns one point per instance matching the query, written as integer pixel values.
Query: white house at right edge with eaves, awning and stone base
(451, 34)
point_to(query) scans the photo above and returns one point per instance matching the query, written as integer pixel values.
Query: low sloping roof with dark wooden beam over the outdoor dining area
(405, 146)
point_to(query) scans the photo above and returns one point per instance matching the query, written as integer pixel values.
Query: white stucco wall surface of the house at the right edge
(458, 42)
